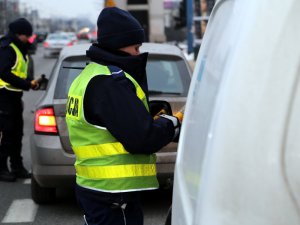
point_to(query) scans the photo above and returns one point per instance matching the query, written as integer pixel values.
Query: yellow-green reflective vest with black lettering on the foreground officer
(102, 163)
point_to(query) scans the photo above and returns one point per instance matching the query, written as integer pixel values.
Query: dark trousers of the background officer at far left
(11, 131)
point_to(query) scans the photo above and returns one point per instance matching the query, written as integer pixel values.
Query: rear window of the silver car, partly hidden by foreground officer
(167, 75)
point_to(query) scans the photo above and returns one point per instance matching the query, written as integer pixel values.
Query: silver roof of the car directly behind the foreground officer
(152, 48)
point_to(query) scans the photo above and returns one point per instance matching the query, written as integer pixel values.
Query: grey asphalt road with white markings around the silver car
(16, 206)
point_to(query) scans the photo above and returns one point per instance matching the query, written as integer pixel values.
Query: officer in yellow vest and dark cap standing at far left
(13, 80)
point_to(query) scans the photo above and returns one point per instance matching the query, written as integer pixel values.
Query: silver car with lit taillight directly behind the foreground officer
(169, 78)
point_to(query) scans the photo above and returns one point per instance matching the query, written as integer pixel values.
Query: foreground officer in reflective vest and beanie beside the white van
(111, 131)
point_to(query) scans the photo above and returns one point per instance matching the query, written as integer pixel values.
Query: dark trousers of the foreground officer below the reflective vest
(102, 208)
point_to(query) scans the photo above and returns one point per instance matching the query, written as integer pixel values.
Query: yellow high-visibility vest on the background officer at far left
(19, 69)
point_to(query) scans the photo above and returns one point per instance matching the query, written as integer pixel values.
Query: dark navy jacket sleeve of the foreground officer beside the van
(113, 103)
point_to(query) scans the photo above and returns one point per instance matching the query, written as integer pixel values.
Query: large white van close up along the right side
(238, 161)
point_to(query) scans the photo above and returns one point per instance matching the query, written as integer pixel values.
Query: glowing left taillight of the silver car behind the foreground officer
(45, 121)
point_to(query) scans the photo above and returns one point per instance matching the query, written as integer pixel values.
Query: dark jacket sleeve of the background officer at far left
(7, 61)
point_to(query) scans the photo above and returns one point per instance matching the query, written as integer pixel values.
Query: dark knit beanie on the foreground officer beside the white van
(118, 28)
